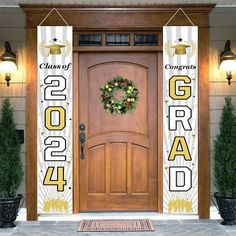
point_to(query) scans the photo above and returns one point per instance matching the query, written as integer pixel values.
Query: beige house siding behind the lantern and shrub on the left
(12, 28)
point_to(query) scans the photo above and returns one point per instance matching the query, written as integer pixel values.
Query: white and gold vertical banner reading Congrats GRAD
(180, 119)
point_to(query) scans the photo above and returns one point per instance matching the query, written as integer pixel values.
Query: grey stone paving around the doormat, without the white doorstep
(163, 228)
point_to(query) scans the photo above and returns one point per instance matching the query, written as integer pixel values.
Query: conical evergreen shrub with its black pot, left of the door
(11, 170)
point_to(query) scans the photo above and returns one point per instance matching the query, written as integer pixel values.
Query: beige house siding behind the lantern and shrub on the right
(223, 27)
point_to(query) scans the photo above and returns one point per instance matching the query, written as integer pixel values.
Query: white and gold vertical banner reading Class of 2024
(54, 134)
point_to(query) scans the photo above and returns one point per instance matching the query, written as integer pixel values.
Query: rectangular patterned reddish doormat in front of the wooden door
(116, 225)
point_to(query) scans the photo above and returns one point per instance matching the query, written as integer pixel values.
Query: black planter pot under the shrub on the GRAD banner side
(226, 208)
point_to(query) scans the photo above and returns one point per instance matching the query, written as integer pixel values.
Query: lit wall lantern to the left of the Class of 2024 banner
(8, 62)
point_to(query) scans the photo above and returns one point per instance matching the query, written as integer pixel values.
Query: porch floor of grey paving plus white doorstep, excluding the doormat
(165, 224)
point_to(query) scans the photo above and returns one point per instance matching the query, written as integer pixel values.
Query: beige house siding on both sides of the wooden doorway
(223, 27)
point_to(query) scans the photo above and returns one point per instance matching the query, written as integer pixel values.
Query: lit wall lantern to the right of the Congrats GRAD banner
(227, 61)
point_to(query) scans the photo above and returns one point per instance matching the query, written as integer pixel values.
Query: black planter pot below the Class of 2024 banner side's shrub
(9, 208)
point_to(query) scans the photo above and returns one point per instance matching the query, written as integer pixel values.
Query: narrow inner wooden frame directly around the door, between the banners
(159, 76)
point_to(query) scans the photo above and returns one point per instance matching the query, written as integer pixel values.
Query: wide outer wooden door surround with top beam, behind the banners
(122, 18)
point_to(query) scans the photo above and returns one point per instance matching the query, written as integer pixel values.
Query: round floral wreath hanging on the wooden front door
(127, 103)
